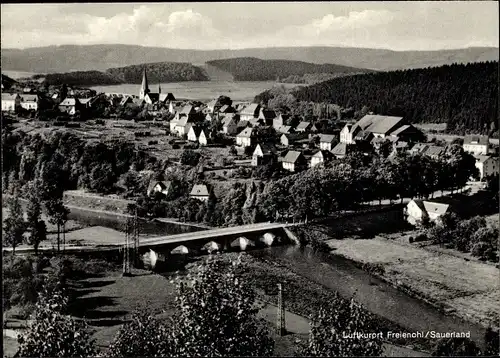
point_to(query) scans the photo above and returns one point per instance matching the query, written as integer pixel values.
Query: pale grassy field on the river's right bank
(467, 288)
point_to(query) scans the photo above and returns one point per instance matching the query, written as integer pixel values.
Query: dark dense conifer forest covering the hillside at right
(465, 97)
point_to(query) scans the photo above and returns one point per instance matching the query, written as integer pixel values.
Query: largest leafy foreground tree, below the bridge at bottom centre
(218, 315)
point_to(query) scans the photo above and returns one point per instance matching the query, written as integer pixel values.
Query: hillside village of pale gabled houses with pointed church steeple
(257, 135)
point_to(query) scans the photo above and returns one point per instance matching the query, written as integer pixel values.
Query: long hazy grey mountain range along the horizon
(66, 58)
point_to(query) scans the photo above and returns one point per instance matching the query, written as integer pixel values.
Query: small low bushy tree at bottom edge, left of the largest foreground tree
(144, 336)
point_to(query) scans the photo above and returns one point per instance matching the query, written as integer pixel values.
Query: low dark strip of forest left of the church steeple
(80, 78)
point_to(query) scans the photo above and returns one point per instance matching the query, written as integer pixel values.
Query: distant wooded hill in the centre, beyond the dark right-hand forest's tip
(254, 69)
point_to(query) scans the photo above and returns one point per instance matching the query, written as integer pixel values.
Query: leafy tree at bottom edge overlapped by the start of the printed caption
(333, 323)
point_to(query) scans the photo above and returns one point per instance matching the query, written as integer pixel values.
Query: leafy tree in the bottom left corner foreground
(53, 334)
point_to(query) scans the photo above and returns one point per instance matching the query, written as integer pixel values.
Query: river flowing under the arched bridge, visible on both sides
(332, 272)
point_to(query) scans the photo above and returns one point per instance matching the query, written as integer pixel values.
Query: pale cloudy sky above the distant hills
(189, 25)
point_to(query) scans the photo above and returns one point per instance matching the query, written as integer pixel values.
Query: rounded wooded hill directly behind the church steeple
(159, 72)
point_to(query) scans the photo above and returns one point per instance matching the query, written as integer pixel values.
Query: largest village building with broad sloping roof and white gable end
(379, 126)
